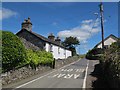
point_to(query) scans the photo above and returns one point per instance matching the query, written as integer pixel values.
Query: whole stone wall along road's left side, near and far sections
(26, 72)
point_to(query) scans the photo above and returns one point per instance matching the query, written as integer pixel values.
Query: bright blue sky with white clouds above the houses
(63, 19)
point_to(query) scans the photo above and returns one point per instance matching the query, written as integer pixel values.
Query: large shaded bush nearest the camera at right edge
(111, 65)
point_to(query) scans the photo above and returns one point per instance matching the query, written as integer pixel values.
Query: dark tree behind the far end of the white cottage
(71, 43)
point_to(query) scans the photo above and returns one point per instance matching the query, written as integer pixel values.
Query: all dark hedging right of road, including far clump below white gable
(109, 63)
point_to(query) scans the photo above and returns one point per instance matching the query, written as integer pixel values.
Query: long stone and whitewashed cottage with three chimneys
(35, 41)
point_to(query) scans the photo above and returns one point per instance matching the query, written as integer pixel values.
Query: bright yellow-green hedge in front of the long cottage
(36, 58)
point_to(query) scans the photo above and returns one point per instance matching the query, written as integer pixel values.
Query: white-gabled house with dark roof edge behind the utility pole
(107, 41)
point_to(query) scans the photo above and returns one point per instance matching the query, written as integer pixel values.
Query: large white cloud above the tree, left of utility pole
(84, 31)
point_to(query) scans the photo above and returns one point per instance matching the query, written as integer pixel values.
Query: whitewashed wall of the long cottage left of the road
(58, 52)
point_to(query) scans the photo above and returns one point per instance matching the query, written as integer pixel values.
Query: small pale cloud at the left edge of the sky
(6, 13)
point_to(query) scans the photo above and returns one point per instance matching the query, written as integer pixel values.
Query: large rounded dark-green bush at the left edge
(13, 51)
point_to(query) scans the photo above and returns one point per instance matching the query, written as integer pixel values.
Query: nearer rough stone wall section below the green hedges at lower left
(22, 73)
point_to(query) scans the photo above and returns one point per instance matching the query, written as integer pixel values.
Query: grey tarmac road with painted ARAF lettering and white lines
(73, 75)
